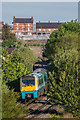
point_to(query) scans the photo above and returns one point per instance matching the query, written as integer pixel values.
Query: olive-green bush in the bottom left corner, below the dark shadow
(10, 107)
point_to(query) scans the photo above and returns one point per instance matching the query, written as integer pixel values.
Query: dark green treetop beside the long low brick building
(64, 29)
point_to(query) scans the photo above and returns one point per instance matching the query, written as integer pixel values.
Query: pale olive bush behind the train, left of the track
(27, 54)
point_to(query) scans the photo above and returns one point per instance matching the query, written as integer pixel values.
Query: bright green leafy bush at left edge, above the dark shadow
(13, 67)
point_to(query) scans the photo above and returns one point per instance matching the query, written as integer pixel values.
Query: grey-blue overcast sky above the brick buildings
(43, 11)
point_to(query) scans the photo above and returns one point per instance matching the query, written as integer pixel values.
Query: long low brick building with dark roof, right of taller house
(46, 28)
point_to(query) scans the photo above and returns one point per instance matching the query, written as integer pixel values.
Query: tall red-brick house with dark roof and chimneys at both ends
(23, 26)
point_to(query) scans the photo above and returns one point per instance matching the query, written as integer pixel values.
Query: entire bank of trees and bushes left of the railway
(14, 66)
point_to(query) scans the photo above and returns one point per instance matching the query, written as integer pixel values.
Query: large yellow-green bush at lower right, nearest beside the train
(64, 84)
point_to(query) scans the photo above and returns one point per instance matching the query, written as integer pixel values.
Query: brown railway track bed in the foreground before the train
(42, 108)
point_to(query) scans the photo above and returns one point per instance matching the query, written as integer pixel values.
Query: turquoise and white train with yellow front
(34, 84)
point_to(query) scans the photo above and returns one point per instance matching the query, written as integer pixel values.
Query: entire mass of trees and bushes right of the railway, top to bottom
(63, 51)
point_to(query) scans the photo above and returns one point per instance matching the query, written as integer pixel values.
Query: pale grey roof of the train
(37, 72)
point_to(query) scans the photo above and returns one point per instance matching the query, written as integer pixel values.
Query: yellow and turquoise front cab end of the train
(28, 86)
